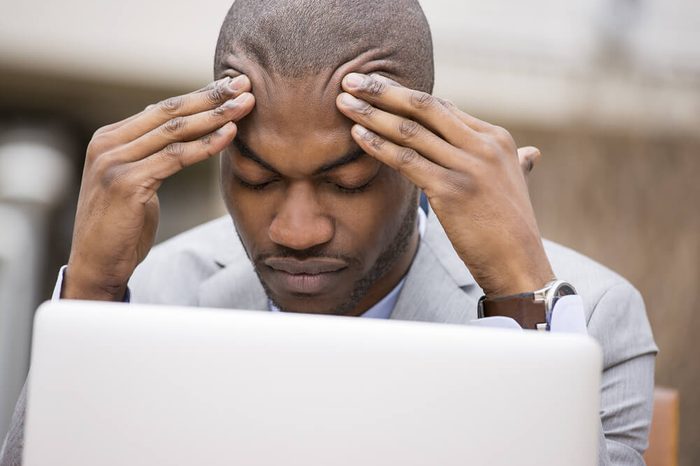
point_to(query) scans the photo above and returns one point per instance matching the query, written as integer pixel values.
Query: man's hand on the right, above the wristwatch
(468, 169)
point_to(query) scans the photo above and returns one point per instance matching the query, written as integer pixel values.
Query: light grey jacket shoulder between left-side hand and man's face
(174, 269)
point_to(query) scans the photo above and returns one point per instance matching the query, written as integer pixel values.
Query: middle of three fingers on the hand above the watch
(402, 131)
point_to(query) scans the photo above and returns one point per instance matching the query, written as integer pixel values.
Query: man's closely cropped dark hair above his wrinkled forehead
(298, 38)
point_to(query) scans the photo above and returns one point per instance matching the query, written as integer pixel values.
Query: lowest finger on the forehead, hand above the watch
(419, 170)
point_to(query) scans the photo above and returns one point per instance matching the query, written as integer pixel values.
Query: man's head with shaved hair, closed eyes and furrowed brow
(328, 228)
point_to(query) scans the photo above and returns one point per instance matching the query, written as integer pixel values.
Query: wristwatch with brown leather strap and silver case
(532, 310)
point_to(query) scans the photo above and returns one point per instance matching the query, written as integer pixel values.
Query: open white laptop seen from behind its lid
(124, 384)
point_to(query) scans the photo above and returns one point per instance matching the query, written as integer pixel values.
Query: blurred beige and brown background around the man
(609, 90)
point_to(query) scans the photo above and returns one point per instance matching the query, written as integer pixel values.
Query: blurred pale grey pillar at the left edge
(35, 172)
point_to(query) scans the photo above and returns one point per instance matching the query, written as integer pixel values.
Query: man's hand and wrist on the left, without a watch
(126, 163)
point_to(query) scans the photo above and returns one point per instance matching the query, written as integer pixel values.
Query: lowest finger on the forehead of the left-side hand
(179, 155)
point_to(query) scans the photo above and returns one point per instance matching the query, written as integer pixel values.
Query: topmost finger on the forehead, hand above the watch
(419, 106)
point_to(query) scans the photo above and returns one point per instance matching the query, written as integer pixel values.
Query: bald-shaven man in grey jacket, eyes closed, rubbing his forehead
(323, 115)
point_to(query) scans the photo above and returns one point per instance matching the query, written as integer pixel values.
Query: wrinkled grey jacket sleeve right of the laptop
(619, 323)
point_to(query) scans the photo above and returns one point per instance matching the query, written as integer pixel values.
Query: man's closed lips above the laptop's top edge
(307, 277)
